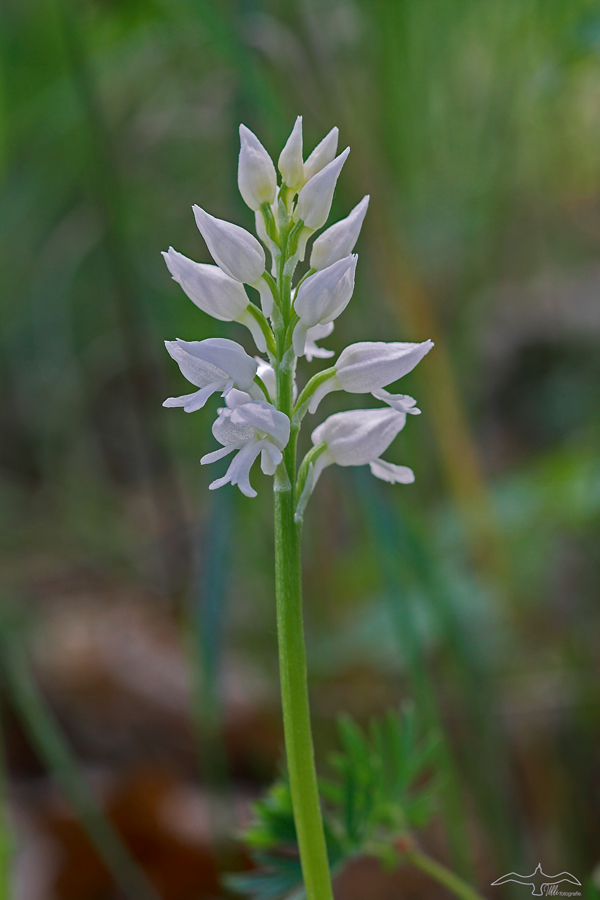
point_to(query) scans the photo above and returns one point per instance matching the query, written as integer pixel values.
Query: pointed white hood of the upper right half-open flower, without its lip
(370, 365)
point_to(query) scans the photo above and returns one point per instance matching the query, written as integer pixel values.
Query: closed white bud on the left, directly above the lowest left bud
(234, 249)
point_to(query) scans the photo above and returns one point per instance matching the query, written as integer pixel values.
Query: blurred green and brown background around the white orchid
(137, 608)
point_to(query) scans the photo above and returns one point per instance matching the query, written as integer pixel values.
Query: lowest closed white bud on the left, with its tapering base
(214, 292)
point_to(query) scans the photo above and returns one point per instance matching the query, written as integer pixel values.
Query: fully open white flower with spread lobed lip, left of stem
(253, 427)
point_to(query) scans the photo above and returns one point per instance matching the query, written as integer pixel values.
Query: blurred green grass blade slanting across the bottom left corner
(47, 739)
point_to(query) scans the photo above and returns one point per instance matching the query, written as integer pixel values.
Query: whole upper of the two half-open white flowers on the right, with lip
(367, 367)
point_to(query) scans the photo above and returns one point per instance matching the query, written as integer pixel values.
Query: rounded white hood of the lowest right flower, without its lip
(359, 436)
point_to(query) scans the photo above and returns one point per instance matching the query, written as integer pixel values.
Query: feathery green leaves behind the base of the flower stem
(379, 792)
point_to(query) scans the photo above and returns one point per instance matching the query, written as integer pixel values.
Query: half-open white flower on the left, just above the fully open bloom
(215, 364)
